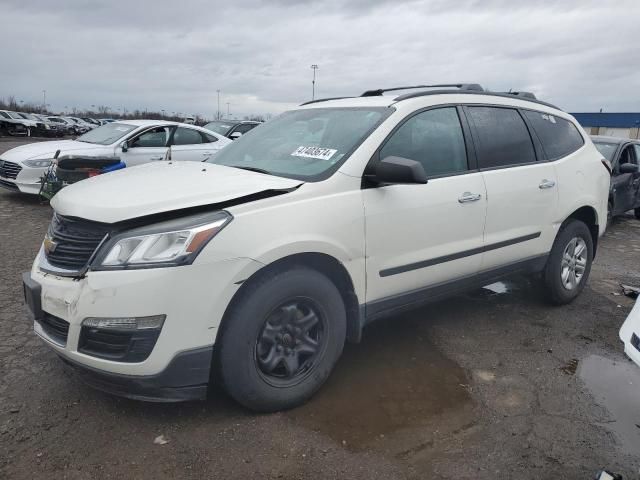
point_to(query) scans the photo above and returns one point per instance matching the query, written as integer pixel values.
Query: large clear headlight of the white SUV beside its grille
(172, 243)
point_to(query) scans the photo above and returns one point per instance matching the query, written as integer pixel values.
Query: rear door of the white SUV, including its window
(522, 194)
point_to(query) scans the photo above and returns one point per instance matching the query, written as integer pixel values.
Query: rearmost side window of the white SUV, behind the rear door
(559, 137)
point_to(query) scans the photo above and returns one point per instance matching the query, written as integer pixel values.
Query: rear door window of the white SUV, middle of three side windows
(503, 137)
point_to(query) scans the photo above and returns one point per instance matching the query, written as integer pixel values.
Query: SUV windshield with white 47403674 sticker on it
(303, 144)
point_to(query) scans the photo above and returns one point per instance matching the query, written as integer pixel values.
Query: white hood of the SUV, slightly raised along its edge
(161, 187)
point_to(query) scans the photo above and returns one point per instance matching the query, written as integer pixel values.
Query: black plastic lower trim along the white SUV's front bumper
(185, 378)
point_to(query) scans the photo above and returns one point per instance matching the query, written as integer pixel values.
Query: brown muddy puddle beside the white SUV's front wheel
(393, 382)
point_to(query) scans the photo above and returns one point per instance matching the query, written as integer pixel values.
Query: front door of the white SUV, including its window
(429, 234)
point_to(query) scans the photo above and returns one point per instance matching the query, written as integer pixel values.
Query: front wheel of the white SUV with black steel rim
(256, 365)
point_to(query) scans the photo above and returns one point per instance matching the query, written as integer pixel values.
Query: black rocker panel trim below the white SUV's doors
(390, 305)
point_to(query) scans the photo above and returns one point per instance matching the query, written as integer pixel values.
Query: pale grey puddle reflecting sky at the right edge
(616, 386)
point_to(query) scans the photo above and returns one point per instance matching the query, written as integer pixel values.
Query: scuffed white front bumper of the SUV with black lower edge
(193, 298)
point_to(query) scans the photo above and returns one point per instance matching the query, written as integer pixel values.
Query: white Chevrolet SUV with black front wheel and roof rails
(254, 269)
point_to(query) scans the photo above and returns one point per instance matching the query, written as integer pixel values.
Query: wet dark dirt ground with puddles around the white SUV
(492, 384)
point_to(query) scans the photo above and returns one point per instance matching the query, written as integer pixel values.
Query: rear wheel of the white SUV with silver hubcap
(559, 284)
